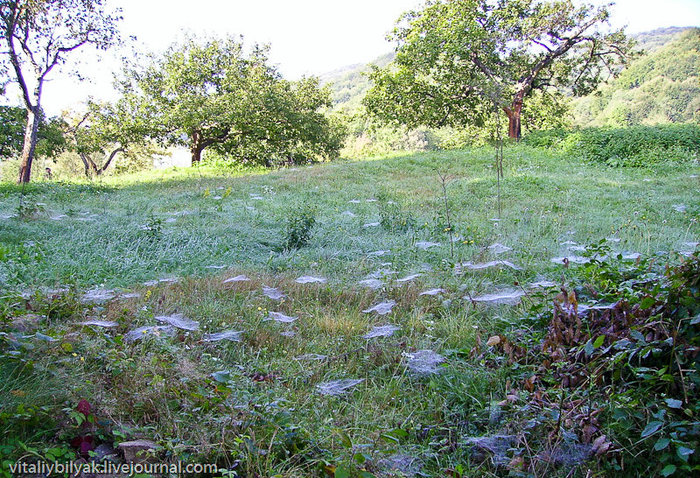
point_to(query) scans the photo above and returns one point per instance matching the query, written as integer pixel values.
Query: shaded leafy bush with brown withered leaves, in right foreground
(627, 371)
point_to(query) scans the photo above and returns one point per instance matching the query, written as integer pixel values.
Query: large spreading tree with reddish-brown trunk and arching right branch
(457, 60)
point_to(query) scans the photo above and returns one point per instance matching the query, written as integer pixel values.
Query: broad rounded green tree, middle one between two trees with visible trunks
(212, 94)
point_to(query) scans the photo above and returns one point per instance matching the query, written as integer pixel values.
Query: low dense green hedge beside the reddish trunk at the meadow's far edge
(634, 146)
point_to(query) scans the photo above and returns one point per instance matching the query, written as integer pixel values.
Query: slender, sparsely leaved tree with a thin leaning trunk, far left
(37, 37)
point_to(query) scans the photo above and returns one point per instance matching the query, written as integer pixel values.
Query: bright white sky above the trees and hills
(306, 36)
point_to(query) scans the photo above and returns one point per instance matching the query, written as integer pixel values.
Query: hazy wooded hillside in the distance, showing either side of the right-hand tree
(661, 86)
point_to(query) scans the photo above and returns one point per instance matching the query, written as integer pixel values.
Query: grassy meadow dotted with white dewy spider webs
(253, 406)
